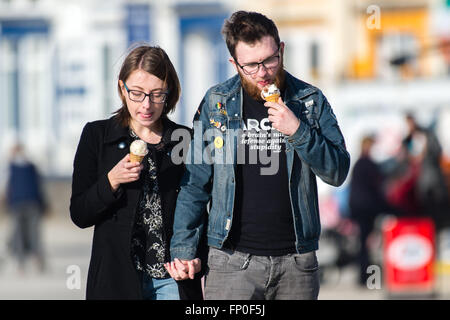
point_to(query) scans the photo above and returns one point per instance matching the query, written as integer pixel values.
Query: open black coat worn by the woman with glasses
(102, 145)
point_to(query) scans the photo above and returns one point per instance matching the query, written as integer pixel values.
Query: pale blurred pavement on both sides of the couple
(68, 250)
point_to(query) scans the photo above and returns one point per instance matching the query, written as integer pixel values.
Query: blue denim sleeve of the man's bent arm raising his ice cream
(324, 149)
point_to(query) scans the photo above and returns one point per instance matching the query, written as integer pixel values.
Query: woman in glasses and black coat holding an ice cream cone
(131, 204)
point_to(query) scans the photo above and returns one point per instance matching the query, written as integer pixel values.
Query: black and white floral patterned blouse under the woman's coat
(148, 248)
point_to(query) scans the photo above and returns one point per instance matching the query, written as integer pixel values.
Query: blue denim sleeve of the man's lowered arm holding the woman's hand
(195, 193)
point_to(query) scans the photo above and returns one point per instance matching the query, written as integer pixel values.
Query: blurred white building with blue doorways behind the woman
(59, 62)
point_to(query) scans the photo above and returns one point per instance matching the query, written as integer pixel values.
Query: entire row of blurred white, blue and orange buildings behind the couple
(59, 62)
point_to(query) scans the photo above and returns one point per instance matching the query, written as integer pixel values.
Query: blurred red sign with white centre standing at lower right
(409, 253)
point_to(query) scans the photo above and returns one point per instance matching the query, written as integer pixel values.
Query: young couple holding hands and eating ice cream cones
(161, 226)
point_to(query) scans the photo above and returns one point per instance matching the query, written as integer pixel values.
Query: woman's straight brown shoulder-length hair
(155, 61)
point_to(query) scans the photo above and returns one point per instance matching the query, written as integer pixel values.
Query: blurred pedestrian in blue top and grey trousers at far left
(27, 205)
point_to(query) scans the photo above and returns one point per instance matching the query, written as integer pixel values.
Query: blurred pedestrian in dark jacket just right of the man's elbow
(366, 201)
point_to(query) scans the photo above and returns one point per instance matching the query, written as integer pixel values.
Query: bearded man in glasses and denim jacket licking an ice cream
(263, 223)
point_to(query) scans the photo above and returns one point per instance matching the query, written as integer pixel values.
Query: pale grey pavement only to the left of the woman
(67, 249)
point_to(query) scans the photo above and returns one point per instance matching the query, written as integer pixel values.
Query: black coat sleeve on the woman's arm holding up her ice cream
(91, 192)
